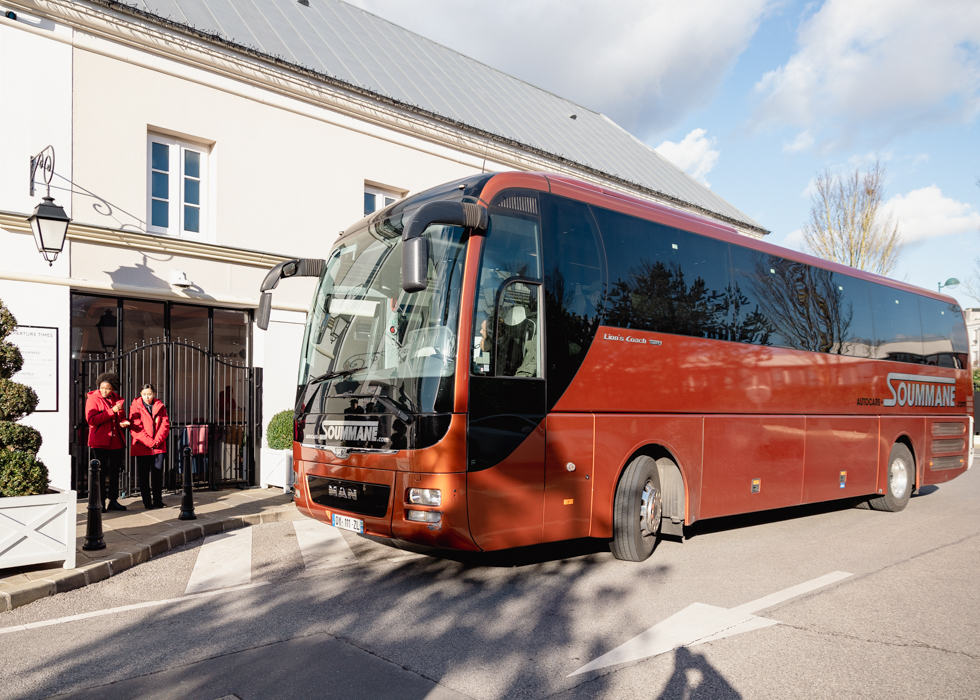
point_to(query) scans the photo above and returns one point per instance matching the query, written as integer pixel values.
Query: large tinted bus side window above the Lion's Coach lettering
(666, 280)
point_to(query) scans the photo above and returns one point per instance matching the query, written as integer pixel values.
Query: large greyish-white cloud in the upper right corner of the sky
(878, 65)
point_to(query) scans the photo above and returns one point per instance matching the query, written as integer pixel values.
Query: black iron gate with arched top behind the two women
(210, 401)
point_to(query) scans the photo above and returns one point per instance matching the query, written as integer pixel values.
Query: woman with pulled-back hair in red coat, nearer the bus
(151, 425)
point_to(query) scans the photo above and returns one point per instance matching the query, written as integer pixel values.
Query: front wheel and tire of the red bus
(637, 511)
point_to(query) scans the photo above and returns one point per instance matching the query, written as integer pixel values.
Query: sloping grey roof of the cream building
(346, 43)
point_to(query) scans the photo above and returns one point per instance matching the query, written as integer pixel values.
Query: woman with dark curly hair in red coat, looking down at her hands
(106, 418)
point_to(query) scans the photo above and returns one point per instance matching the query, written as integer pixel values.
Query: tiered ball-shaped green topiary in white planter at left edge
(21, 472)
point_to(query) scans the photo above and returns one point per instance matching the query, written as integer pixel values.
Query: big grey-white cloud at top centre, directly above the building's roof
(643, 64)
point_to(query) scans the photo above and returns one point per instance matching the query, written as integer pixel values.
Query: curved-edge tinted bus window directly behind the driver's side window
(574, 288)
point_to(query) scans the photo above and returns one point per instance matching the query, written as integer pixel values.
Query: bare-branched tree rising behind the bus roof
(847, 222)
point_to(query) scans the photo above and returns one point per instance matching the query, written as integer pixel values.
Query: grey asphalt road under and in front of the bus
(893, 612)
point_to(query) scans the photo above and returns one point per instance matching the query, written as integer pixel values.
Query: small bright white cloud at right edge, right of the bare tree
(926, 213)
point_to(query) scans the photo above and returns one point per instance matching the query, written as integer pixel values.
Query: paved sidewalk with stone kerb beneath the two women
(135, 535)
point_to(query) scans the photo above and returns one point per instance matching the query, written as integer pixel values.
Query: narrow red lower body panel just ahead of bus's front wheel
(568, 476)
